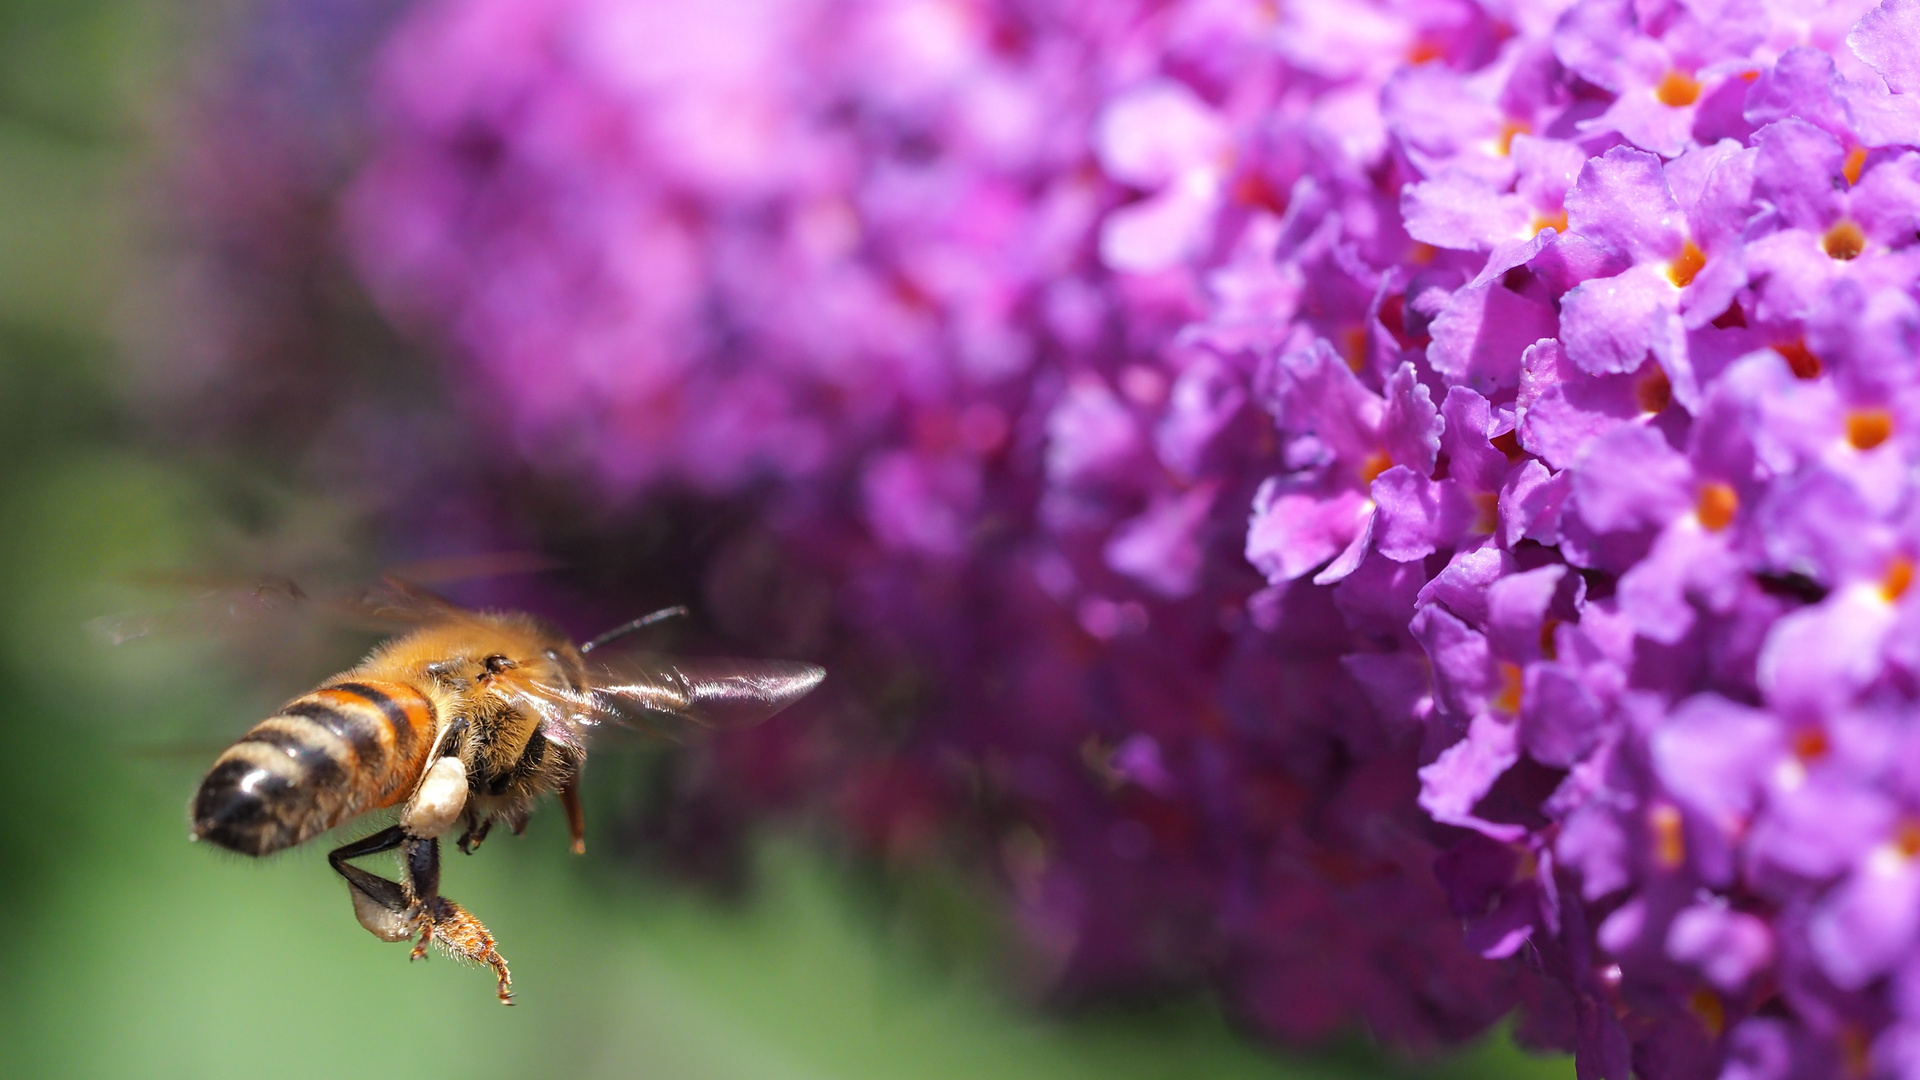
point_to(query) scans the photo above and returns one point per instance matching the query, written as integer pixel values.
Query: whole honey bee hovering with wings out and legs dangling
(468, 718)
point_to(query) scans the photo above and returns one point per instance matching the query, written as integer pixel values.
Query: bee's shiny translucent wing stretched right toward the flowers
(644, 691)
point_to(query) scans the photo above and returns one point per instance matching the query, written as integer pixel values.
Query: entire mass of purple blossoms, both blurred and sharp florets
(1297, 447)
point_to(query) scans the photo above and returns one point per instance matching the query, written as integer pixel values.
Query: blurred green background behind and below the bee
(128, 952)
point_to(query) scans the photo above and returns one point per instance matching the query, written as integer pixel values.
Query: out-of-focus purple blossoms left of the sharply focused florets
(926, 264)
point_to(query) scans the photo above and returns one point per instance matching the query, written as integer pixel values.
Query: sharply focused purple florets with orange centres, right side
(1614, 479)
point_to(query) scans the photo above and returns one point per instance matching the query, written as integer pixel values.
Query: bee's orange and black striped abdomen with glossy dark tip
(343, 750)
